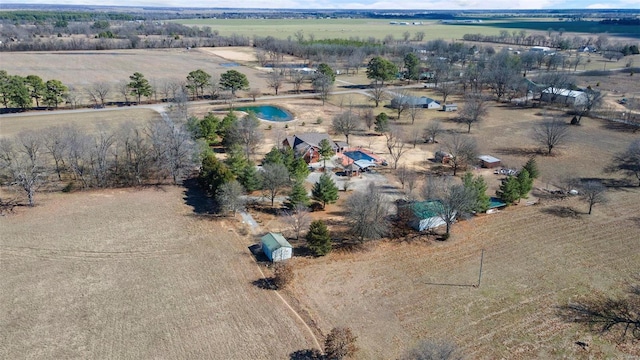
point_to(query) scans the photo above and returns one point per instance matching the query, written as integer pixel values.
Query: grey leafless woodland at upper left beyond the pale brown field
(89, 31)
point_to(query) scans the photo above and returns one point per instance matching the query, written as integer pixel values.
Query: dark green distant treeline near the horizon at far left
(50, 16)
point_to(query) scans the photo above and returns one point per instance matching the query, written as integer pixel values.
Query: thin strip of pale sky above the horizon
(369, 4)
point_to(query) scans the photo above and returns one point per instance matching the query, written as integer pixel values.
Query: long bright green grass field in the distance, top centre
(335, 28)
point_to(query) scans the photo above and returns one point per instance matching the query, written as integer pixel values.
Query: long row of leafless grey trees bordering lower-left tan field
(126, 156)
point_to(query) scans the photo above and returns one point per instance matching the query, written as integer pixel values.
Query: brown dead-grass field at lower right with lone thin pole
(397, 293)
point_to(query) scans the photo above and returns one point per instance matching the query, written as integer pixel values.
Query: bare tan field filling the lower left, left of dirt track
(134, 274)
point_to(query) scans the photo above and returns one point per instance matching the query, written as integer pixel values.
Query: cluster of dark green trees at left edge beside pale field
(21, 92)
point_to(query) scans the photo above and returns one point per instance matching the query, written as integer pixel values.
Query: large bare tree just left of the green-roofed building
(366, 213)
